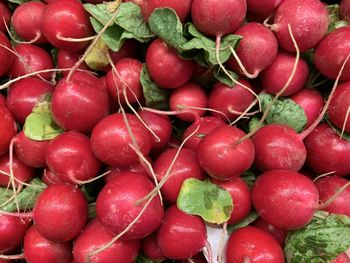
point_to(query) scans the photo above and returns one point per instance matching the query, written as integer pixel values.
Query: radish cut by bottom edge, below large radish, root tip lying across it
(94, 236)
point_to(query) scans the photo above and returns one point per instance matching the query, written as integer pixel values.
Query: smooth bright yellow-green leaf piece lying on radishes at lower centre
(206, 200)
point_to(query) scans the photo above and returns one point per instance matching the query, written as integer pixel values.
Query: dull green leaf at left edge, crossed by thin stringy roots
(26, 198)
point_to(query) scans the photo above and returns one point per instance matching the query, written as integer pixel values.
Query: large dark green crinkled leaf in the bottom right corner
(320, 241)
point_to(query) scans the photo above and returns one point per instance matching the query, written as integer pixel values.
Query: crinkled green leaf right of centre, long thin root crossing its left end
(284, 111)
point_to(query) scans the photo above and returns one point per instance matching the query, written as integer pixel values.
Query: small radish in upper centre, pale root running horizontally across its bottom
(185, 97)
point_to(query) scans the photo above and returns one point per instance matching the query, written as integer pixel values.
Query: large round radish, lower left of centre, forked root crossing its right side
(116, 206)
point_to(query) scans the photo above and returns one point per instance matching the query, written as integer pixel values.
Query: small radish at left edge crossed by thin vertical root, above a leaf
(20, 171)
